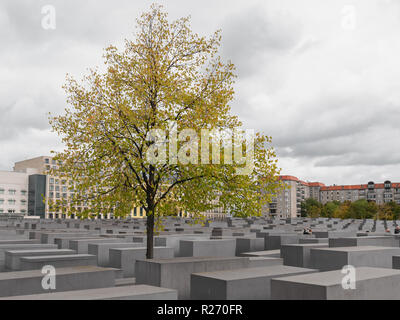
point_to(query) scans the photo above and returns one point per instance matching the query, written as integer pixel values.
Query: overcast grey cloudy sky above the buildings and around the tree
(321, 77)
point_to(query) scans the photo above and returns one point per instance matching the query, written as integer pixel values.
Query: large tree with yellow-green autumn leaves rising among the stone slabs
(121, 131)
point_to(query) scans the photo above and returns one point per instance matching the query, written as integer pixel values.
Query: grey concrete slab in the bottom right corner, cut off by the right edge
(371, 283)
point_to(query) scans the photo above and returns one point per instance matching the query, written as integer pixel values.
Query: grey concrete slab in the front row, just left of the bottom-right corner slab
(239, 284)
